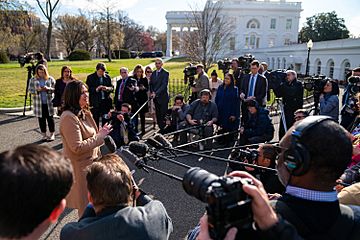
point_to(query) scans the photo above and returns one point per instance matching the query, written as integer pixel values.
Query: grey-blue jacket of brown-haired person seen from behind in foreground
(136, 223)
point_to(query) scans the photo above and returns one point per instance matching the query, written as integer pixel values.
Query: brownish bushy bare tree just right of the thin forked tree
(72, 30)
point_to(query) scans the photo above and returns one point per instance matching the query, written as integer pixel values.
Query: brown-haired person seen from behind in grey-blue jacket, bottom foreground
(110, 214)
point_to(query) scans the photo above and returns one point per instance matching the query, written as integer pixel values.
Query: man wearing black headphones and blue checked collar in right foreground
(309, 165)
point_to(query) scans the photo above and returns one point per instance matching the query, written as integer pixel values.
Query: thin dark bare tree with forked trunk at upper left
(48, 8)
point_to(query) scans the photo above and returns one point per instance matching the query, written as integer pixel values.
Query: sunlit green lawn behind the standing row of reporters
(13, 78)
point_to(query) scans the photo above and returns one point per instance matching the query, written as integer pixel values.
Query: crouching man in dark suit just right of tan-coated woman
(123, 129)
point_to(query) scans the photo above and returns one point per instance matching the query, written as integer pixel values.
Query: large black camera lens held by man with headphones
(197, 181)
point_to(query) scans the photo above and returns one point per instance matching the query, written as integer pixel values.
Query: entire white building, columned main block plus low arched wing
(269, 30)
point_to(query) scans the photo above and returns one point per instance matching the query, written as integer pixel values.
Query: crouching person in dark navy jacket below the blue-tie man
(258, 127)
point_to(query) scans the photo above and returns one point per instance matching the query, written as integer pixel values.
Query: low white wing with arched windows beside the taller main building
(329, 58)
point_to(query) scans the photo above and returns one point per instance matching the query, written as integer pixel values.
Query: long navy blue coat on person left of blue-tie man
(228, 103)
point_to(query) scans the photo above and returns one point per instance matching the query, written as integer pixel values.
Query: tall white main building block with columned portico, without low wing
(258, 24)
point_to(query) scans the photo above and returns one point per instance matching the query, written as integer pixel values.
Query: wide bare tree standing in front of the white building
(211, 29)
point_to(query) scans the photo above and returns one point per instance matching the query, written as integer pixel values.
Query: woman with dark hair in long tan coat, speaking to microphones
(81, 139)
